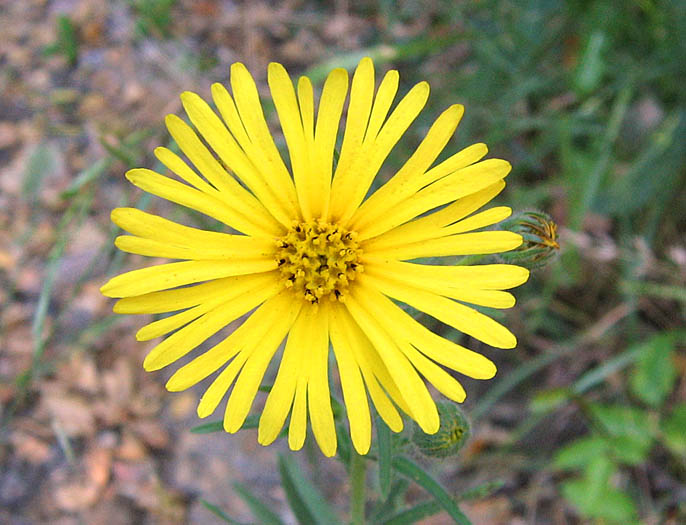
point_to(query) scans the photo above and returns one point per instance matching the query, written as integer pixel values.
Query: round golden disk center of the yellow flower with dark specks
(318, 260)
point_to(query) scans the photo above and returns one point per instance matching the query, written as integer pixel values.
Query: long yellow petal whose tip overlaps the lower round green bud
(412, 388)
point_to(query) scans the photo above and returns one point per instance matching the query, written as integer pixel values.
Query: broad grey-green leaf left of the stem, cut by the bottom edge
(306, 502)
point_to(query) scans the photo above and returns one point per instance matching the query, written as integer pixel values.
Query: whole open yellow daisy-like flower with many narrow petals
(313, 260)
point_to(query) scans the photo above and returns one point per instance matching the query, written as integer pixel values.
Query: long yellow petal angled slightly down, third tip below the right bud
(459, 316)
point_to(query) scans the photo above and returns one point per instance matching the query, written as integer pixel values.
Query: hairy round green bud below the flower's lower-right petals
(451, 436)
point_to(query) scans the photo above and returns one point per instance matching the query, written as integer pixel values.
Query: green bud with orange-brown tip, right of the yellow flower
(539, 233)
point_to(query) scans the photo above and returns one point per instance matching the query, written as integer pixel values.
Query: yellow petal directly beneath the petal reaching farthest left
(171, 300)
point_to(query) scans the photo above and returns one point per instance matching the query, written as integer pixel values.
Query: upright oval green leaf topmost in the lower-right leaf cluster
(653, 377)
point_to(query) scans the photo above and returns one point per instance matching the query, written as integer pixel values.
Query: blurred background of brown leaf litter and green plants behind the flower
(585, 421)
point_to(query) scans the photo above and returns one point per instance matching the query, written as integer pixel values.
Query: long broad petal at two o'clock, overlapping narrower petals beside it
(460, 184)
